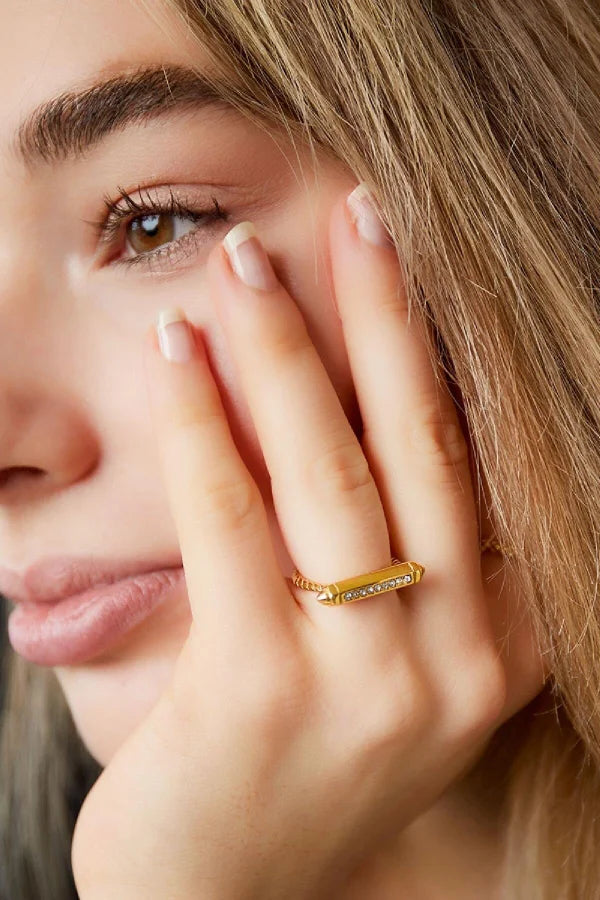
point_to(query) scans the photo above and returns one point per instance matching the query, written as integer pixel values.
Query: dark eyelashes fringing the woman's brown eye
(108, 227)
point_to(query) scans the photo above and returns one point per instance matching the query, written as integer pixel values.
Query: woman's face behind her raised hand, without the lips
(79, 470)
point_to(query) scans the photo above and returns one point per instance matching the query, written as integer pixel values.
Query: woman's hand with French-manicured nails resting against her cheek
(294, 738)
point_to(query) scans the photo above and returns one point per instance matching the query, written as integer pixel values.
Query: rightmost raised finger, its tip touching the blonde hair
(410, 422)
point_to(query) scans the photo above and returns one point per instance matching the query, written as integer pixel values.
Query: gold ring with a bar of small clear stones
(379, 581)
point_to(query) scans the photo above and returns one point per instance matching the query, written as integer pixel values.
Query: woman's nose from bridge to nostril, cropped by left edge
(47, 439)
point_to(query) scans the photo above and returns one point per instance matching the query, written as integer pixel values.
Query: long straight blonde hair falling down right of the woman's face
(477, 127)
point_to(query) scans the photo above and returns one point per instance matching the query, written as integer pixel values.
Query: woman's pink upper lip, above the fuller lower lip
(55, 578)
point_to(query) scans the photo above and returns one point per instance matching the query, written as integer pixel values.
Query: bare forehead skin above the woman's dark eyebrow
(50, 46)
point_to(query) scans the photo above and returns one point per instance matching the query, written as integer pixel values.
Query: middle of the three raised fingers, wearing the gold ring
(325, 497)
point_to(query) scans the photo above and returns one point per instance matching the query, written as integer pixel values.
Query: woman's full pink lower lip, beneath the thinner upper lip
(76, 629)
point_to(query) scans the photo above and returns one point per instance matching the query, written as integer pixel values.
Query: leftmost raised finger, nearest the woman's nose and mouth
(233, 580)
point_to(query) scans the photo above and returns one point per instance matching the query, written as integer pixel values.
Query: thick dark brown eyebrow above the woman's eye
(71, 124)
